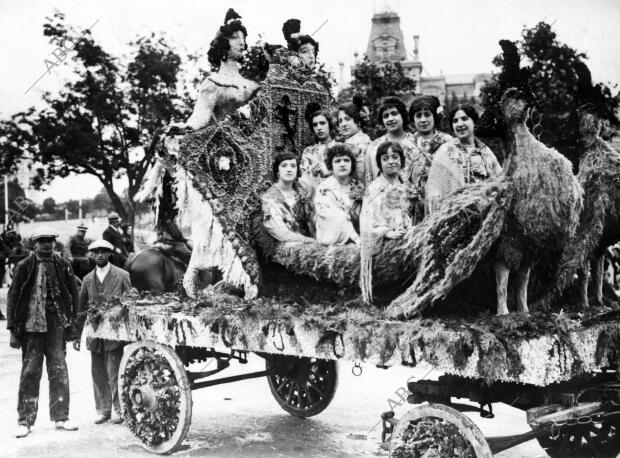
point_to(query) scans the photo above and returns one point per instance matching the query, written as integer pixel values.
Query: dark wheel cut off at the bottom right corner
(583, 440)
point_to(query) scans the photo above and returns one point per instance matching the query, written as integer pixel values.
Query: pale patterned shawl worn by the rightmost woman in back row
(455, 166)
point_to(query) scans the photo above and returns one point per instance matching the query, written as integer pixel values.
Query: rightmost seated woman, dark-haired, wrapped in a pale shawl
(461, 161)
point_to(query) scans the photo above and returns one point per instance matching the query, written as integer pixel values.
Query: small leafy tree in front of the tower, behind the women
(373, 81)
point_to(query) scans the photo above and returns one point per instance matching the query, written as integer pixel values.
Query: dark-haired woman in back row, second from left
(350, 121)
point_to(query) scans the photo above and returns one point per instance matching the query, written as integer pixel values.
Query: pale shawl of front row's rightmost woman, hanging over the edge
(387, 206)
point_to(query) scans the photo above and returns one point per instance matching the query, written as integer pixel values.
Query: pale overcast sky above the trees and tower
(456, 36)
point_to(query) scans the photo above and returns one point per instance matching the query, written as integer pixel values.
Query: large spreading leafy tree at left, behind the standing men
(105, 112)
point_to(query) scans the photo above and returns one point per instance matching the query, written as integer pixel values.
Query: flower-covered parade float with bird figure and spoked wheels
(299, 307)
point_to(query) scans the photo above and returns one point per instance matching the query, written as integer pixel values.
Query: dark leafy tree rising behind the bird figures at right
(557, 80)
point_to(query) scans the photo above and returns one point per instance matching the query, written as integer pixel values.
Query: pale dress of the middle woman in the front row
(334, 213)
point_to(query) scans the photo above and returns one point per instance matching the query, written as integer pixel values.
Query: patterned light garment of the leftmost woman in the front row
(283, 215)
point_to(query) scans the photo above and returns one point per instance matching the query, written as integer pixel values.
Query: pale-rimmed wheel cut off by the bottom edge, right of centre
(437, 427)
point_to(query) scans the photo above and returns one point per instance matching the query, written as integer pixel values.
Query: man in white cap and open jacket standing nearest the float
(105, 281)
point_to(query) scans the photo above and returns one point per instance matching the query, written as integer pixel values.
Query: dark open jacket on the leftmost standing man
(24, 279)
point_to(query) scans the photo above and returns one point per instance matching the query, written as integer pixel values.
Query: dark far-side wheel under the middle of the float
(302, 386)
